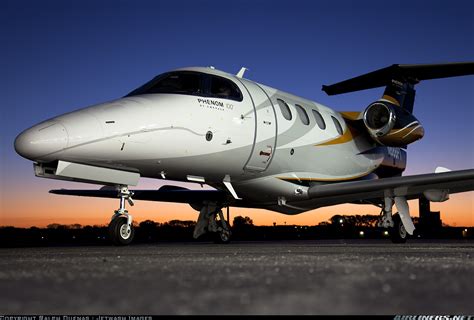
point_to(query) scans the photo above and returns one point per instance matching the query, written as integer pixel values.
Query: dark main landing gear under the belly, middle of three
(211, 219)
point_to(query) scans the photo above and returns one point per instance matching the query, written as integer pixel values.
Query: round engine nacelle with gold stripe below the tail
(391, 125)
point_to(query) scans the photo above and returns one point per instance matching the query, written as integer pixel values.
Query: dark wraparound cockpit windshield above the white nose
(191, 83)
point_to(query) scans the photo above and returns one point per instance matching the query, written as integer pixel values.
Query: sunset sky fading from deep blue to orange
(59, 56)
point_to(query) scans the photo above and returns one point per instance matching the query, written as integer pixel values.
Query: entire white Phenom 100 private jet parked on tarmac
(258, 147)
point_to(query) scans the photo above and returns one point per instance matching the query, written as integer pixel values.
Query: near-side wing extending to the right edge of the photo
(411, 187)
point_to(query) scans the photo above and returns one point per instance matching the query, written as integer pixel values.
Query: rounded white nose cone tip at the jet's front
(41, 140)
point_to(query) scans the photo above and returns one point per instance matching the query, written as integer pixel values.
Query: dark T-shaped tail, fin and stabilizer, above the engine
(400, 79)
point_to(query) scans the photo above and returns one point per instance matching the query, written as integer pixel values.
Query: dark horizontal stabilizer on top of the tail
(413, 73)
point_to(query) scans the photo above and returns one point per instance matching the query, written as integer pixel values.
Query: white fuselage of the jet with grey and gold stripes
(176, 136)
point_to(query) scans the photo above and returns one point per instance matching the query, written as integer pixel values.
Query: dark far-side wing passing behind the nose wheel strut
(165, 193)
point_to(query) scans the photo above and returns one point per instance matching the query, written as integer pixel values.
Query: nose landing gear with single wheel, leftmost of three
(121, 230)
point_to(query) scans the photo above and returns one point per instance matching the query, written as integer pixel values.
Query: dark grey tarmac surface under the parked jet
(298, 277)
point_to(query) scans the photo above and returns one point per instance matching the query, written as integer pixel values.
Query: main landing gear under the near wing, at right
(400, 224)
